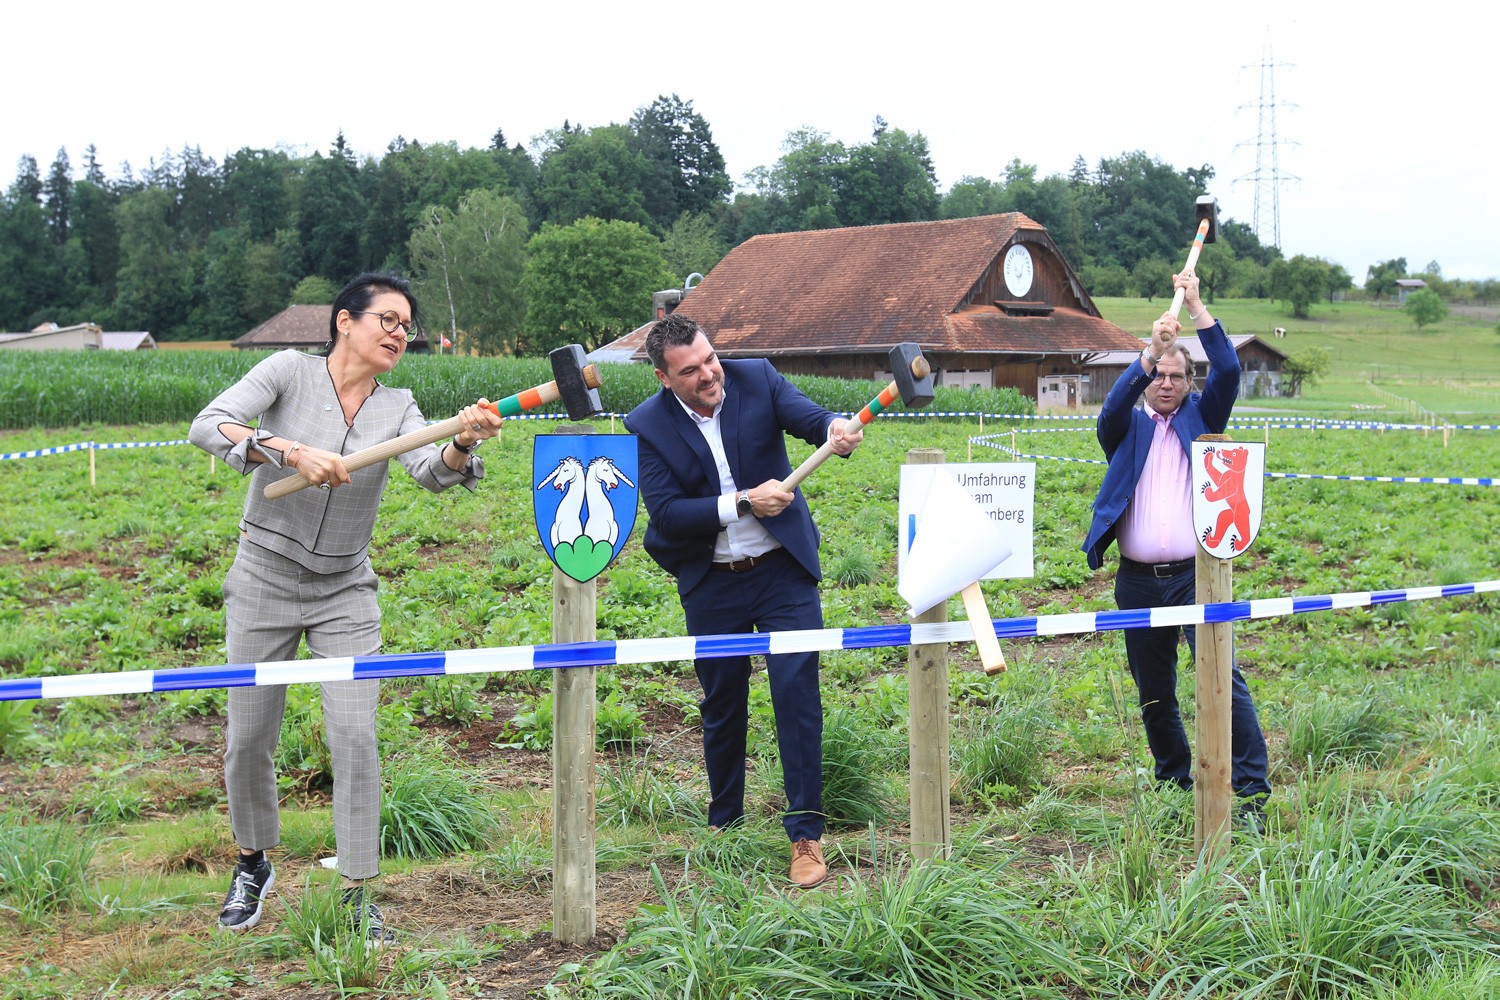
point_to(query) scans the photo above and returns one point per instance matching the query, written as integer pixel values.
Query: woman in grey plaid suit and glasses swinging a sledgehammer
(304, 566)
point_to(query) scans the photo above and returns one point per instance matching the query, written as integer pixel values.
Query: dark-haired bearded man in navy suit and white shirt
(745, 554)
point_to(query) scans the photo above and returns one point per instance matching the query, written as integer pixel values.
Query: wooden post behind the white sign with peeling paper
(928, 696)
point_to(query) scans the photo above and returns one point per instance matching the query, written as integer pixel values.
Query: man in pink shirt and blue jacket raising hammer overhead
(1147, 506)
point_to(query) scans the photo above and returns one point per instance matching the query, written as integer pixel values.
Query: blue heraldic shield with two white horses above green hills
(586, 499)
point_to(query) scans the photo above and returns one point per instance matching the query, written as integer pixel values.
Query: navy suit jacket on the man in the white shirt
(680, 482)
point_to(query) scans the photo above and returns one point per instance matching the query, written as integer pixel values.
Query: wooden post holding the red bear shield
(1214, 758)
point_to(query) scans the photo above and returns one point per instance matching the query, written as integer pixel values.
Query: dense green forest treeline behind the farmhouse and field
(518, 250)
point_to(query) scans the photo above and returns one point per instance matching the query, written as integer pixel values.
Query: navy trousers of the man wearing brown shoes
(775, 596)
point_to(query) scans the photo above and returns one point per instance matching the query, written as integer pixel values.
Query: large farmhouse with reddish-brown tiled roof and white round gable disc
(991, 302)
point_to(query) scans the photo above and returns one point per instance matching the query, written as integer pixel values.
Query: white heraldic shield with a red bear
(1229, 496)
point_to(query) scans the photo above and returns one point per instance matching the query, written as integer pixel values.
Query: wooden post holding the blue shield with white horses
(574, 732)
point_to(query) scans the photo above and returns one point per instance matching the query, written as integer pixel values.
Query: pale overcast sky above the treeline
(1385, 116)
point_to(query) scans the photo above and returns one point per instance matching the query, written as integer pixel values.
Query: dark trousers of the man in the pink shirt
(1153, 656)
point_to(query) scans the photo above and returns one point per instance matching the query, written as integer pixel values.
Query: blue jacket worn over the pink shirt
(1126, 433)
